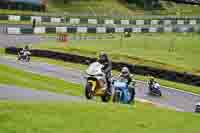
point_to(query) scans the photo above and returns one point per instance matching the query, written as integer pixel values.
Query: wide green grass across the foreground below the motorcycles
(93, 118)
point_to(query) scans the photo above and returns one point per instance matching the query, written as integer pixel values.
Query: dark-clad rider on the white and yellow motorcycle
(107, 69)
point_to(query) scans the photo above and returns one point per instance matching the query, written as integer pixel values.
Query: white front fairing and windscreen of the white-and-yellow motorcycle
(94, 69)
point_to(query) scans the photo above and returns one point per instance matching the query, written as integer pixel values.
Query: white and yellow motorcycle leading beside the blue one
(96, 82)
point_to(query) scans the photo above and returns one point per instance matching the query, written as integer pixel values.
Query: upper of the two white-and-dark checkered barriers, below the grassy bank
(172, 20)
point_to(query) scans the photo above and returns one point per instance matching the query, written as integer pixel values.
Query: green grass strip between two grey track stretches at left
(15, 77)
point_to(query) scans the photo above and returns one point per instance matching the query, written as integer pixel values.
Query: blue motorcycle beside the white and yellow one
(122, 93)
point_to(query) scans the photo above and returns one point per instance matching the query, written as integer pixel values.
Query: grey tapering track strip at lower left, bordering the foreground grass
(21, 94)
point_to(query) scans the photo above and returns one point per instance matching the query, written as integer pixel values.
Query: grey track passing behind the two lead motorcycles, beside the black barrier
(181, 101)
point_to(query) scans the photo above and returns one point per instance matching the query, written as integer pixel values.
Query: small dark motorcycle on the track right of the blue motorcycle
(155, 90)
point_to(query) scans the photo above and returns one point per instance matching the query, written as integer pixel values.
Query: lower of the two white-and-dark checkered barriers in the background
(75, 29)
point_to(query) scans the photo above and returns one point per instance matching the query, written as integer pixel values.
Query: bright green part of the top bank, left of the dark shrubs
(93, 8)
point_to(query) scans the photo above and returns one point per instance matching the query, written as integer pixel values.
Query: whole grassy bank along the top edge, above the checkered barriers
(116, 7)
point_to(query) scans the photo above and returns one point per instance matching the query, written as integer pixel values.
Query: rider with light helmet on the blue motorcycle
(126, 76)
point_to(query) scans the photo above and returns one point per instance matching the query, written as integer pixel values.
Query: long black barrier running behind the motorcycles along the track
(181, 77)
